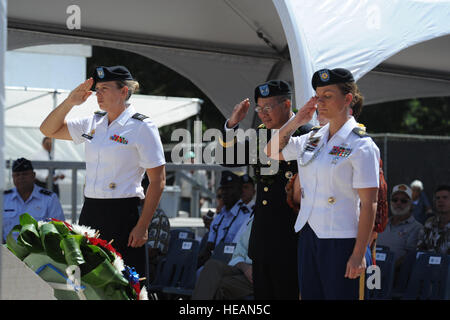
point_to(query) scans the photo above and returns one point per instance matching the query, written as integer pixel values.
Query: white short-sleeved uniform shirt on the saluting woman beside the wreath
(117, 155)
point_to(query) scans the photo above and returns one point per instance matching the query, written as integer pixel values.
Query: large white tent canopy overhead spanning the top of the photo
(398, 49)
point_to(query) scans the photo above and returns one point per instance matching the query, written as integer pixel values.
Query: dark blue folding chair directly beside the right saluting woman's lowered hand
(385, 260)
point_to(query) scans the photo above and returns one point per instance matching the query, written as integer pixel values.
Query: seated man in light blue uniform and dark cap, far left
(26, 197)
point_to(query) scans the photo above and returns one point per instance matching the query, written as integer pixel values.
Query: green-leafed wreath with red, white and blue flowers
(59, 246)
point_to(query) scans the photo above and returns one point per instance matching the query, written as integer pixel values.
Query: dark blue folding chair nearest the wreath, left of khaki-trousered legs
(176, 275)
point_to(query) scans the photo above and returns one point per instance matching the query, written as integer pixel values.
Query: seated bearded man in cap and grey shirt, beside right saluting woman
(402, 230)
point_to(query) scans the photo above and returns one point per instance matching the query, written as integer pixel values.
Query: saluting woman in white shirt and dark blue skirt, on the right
(338, 166)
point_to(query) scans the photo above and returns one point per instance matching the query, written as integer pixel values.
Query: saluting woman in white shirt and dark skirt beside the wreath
(121, 145)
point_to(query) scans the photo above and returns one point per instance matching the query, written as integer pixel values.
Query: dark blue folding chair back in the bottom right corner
(428, 278)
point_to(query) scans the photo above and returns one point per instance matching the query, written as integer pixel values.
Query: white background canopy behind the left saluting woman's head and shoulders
(26, 108)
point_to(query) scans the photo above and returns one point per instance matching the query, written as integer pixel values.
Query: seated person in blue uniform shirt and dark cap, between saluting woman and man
(230, 219)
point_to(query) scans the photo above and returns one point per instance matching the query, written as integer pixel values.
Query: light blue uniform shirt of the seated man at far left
(41, 204)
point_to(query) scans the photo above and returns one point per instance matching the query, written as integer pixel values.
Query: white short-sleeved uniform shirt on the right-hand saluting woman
(345, 163)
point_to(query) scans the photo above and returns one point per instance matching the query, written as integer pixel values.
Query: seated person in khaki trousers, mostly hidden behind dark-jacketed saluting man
(221, 281)
